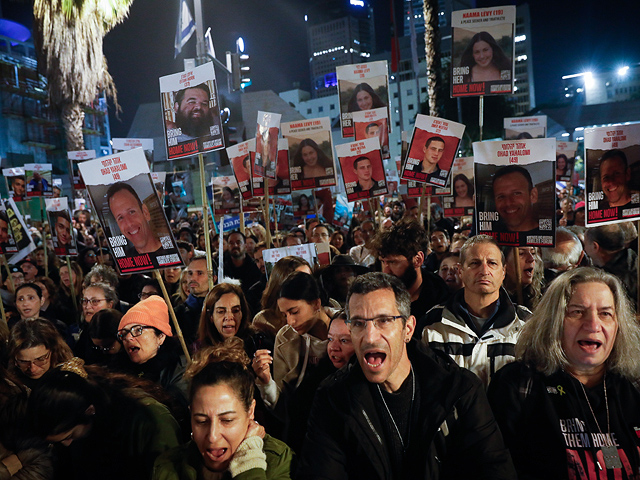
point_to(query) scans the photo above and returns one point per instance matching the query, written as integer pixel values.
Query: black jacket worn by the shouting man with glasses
(457, 436)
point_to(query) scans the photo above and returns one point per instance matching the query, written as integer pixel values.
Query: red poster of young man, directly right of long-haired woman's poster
(362, 169)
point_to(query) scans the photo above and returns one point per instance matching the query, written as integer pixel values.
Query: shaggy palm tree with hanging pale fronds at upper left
(68, 37)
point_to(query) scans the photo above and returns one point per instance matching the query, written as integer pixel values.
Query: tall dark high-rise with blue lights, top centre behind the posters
(339, 32)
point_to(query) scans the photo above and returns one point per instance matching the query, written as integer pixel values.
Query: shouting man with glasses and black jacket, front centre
(401, 410)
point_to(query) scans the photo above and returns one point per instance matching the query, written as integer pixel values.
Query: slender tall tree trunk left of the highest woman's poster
(432, 51)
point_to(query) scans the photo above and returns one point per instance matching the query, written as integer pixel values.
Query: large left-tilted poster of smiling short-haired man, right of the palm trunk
(127, 205)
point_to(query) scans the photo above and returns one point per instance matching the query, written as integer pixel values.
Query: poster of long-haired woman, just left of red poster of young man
(310, 153)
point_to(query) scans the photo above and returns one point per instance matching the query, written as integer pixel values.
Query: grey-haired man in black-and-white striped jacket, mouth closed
(479, 325)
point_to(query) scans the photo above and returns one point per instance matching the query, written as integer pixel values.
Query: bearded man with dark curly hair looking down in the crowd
(400, 250)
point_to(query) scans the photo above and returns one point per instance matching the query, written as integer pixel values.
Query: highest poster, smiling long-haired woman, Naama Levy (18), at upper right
(482, 59)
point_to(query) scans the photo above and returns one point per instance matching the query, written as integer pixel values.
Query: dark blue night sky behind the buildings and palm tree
(568, 37)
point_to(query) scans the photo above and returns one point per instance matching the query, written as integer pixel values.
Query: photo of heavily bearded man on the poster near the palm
(194, 116)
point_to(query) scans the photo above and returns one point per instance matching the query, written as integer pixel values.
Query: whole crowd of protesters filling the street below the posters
(421, 351)
